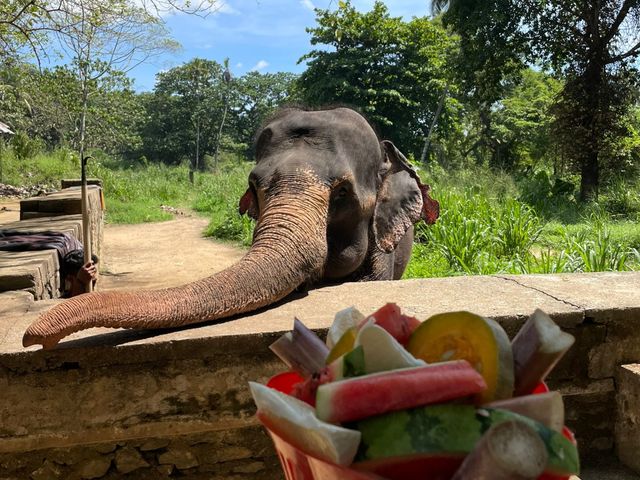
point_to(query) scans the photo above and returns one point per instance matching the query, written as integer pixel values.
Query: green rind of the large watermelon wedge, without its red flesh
(451, 429)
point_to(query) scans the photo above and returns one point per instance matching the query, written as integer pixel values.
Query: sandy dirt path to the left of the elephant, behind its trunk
(164, 254)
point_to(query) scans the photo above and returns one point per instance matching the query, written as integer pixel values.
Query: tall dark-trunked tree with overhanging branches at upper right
(593, 45)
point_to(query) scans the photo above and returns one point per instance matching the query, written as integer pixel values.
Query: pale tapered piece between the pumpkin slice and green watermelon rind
(546, 408)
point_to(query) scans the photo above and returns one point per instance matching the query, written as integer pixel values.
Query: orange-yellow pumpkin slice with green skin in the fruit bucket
(480, 341)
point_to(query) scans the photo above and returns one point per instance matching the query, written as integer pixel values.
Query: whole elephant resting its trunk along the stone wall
(332, 204)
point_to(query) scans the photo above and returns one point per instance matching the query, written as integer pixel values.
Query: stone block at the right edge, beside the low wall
(627, 426)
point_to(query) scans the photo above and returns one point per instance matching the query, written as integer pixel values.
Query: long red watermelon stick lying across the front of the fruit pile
(362, 397)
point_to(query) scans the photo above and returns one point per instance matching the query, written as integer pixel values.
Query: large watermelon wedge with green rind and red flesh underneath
(430, 442)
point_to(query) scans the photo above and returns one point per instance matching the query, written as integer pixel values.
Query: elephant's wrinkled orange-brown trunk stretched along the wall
(289, 248)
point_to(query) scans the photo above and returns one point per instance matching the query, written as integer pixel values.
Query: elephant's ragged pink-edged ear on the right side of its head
(402, 200)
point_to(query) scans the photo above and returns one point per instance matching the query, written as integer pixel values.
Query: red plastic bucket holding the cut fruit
(298, 465)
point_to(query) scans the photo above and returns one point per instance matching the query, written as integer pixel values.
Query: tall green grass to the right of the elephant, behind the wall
(487, 227)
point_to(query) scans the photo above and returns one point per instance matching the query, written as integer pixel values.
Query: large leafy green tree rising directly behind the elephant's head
(394, 71)
